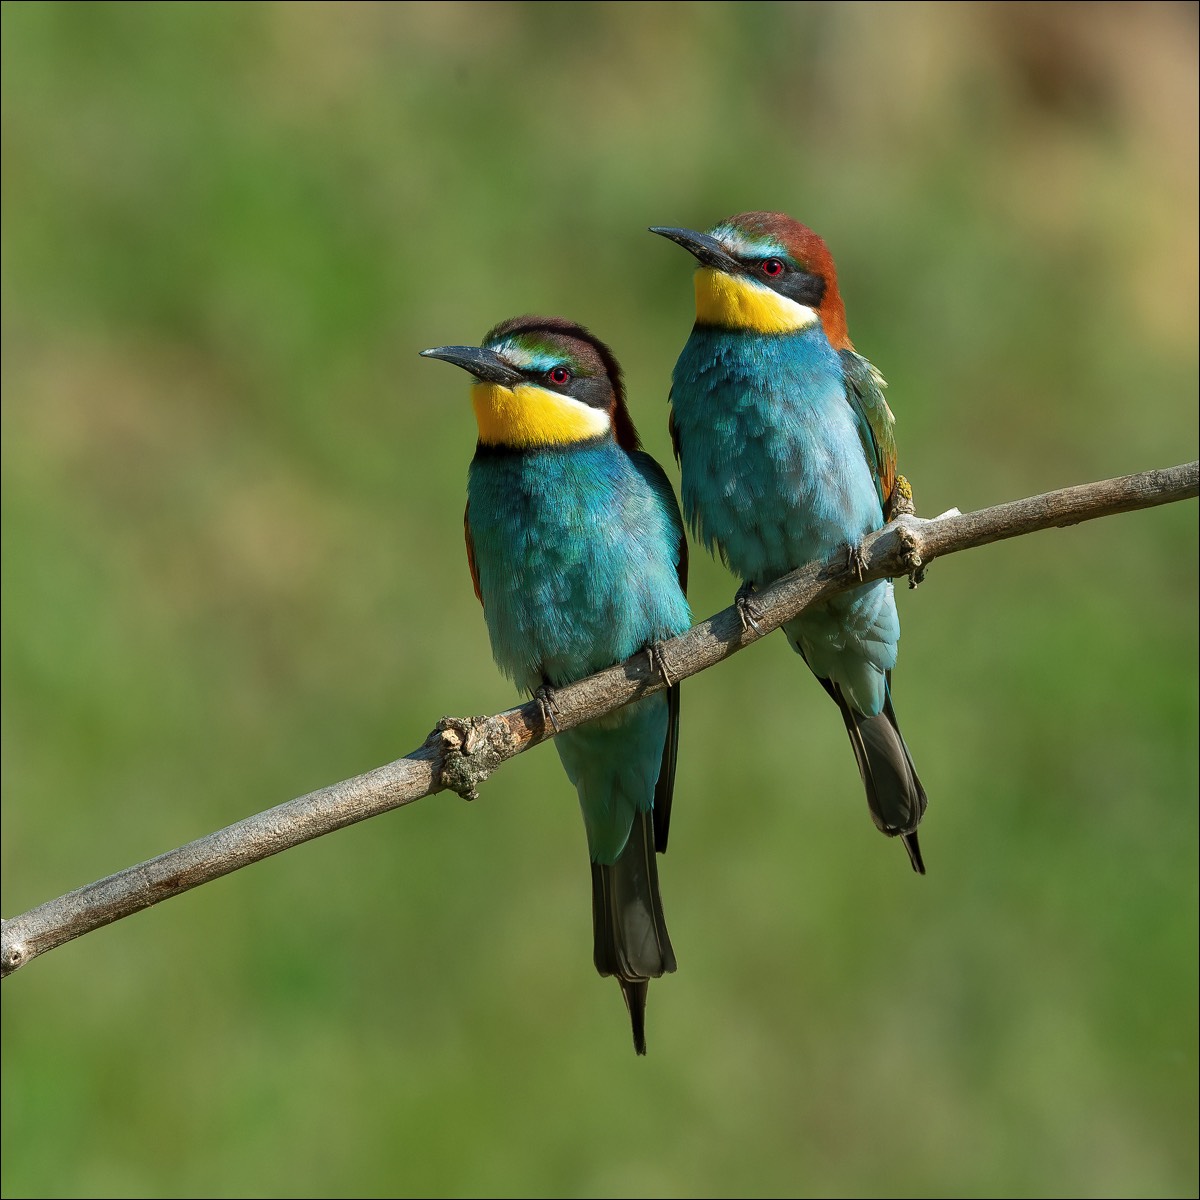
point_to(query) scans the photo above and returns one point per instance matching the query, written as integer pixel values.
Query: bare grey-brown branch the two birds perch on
(463, 753)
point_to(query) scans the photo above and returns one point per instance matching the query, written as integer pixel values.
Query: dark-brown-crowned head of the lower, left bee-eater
(544, 382)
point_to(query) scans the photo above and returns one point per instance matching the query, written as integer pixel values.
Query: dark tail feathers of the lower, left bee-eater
(632, 939)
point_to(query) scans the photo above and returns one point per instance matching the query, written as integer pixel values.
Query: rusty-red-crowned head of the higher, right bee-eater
(767, 274)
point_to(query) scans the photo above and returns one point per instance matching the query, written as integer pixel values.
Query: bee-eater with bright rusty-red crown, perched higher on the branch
(788, 454)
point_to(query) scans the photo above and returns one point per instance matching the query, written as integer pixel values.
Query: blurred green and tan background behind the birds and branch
(233, 572)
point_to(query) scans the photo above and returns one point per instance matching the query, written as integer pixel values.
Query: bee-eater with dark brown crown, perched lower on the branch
(579, 557)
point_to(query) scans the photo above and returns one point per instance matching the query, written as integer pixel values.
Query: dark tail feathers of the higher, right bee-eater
(895, 794)
